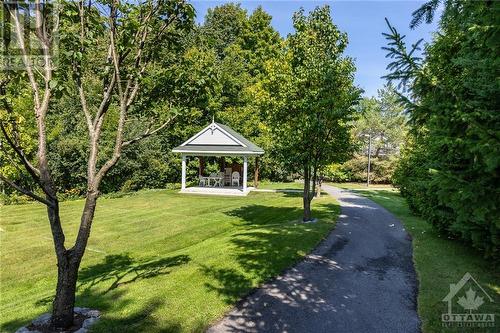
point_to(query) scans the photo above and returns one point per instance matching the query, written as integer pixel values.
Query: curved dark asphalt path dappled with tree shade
(360, 279)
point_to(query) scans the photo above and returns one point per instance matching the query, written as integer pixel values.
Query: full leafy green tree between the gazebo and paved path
(308, 97)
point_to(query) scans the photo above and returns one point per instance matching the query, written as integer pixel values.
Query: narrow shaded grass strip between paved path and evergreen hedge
(439, 262)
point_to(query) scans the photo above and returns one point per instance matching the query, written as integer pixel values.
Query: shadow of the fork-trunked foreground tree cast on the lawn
(98, 288)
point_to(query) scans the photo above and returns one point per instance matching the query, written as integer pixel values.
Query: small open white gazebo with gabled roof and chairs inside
(219, 140)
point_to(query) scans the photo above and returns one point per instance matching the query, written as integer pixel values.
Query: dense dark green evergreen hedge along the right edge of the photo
(450, 170)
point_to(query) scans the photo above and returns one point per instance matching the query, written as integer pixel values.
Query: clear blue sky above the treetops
(362, 20)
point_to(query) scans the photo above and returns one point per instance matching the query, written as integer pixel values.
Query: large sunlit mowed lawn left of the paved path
(157, 261)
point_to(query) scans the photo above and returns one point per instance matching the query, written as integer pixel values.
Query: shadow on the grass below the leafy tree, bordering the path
(271, 240)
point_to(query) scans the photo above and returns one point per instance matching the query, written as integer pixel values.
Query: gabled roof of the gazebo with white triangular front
(218, 139)
